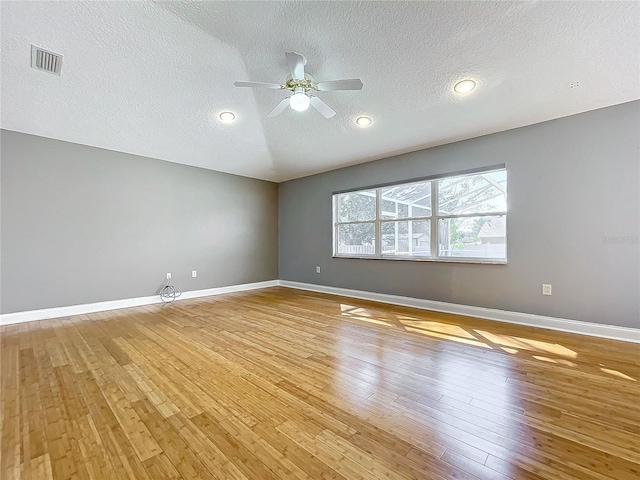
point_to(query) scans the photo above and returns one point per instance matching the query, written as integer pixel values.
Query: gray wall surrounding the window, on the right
(572, 181)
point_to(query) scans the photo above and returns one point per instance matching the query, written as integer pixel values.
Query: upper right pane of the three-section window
(483, 193)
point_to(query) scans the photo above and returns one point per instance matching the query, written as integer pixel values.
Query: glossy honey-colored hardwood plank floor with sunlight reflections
(281, 383)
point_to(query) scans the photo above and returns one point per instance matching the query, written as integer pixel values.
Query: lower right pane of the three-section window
(473, 237)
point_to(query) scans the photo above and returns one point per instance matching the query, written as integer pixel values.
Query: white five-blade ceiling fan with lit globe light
(301, 85)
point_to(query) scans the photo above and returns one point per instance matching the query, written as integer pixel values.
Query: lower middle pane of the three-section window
(406, 238)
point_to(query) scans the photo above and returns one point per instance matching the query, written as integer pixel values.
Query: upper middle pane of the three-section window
(406, 201)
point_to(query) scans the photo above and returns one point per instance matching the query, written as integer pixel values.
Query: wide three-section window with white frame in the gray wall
(453, 218)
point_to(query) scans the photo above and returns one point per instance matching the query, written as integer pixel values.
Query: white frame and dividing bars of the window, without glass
(434, 220)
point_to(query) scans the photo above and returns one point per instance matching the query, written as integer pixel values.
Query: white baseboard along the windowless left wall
(57, 312)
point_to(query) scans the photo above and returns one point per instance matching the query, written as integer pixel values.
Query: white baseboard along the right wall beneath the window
(562, 324)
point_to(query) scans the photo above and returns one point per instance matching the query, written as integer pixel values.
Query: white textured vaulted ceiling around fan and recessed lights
(150, 78)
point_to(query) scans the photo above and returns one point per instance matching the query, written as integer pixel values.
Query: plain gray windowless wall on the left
(83, 224)
